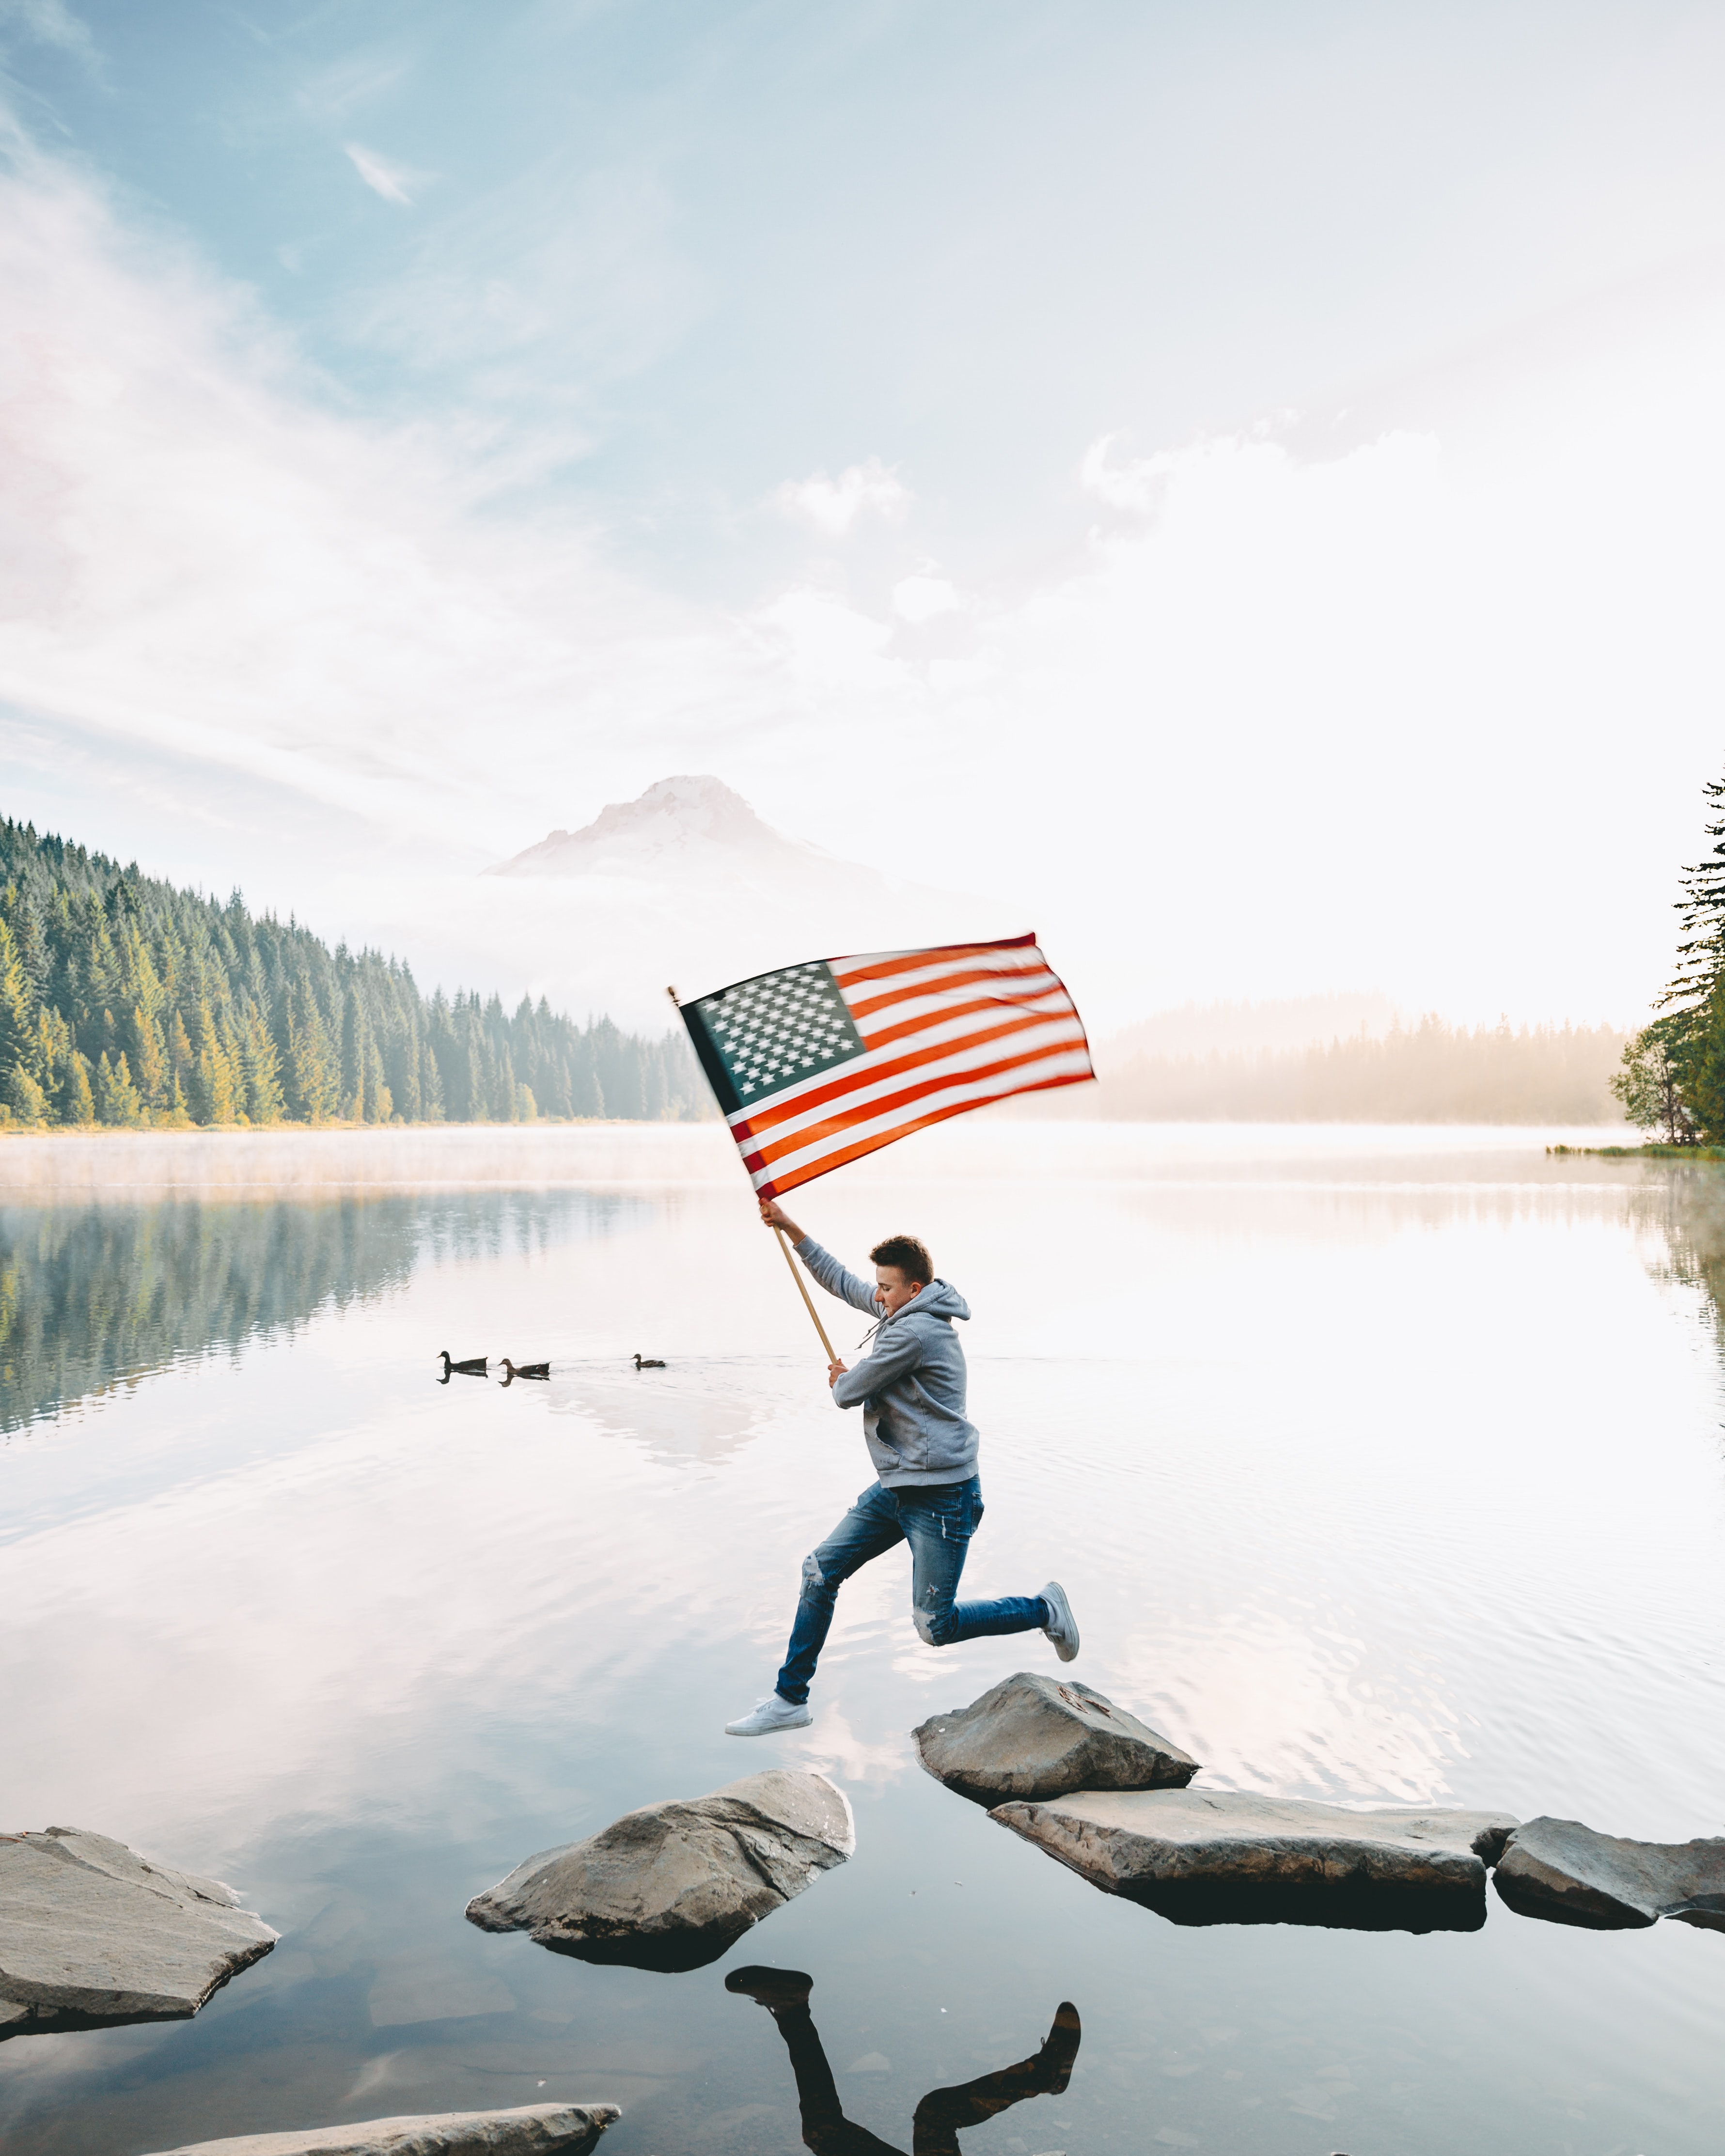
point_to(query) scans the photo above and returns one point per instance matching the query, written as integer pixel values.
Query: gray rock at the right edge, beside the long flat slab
(1569, 1875)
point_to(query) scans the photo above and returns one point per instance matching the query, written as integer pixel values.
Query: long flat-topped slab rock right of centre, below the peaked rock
(1222, 1857)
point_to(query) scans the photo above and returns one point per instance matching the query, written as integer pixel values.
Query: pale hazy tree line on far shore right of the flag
(1413, 1075)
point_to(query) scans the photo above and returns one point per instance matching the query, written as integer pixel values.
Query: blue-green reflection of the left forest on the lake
(98, 1295)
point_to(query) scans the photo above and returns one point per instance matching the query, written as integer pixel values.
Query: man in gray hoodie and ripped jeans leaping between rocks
(924, 1450)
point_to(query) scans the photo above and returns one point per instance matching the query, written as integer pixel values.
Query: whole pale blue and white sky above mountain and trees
(1234, 486)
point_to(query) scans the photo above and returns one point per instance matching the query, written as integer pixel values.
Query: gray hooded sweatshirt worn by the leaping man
(911, 1383)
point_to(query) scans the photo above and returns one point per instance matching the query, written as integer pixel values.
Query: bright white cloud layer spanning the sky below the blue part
(1426, 708)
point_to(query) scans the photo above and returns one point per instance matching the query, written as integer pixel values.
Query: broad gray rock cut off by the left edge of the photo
(92, 1933)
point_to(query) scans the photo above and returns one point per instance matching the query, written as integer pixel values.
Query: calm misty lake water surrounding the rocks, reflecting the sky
(1381, 1467)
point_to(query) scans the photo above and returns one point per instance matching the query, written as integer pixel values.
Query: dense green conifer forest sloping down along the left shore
(130, 1004)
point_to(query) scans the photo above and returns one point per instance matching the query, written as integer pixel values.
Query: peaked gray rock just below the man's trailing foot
(1047, 1737)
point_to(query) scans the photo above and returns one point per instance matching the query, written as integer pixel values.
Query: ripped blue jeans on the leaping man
(939, 1523)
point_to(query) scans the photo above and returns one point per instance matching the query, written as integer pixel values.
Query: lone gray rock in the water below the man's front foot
(676, 1885)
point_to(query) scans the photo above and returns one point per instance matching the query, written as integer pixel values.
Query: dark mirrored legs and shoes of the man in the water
(943, 2114)
